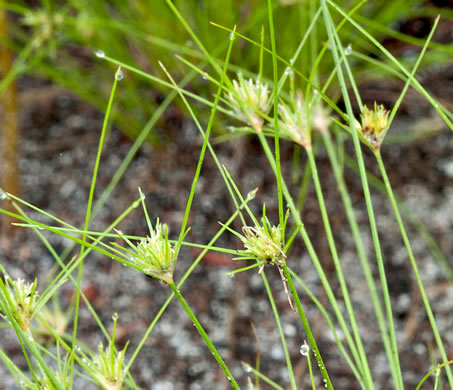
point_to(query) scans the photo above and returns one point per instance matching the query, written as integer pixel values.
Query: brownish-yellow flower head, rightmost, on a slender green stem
(374, 125)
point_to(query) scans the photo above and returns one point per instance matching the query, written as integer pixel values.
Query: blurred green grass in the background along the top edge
(56, 40)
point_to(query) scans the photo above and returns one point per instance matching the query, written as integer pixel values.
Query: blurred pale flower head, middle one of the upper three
(293, 122)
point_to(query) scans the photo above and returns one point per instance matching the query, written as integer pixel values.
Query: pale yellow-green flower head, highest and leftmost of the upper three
(249, 98)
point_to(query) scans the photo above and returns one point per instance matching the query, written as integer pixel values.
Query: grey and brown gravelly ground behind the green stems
(57, 152)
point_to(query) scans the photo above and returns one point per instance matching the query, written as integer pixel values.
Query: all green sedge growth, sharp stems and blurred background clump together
(141, 37)
